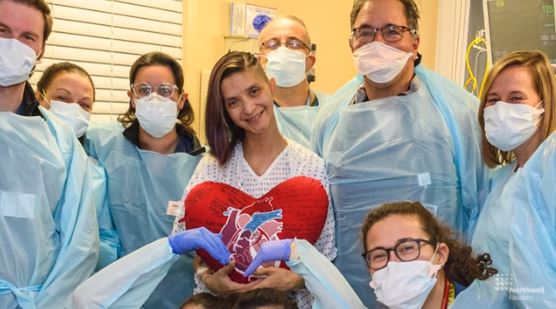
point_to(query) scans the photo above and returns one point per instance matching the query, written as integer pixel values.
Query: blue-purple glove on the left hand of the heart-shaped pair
(200, 238)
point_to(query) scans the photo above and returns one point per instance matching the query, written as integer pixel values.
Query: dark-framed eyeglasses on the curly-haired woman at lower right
(407, 249)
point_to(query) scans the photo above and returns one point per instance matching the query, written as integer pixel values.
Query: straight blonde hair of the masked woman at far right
(545, 84)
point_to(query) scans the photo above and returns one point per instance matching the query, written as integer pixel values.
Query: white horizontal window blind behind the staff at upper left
(105, 37)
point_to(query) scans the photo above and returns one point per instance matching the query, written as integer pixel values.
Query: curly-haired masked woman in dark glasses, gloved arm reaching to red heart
(414, 262)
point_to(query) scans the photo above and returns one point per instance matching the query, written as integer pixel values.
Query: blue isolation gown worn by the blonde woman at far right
(517, 228)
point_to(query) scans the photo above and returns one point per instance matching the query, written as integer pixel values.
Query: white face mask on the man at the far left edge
(17, 61)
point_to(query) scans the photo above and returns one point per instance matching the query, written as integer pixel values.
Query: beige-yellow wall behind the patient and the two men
(205, 25)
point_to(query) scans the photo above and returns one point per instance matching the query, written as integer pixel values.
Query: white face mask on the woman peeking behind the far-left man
(73, 115)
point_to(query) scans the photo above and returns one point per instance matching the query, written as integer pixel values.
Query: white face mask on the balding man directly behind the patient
(286, 66)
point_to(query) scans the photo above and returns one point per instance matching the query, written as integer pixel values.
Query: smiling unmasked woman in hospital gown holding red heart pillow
(263, 179)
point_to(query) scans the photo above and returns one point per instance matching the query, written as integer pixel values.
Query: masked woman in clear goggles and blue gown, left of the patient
(149, 157)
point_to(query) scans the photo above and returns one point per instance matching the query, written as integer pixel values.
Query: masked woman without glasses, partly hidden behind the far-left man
(68, 91)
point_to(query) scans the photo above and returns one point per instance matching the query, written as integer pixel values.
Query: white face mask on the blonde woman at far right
(508, 125)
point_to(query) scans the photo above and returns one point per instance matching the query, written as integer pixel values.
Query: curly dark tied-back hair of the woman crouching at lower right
(461, 266)
